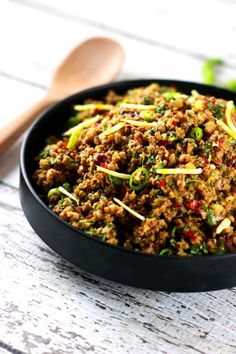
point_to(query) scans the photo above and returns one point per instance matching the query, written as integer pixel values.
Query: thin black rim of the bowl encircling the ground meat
(93, 90)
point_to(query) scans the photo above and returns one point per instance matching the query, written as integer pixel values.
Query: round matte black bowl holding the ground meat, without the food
(166, 273)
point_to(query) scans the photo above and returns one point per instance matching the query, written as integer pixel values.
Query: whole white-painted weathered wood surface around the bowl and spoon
(46, 304)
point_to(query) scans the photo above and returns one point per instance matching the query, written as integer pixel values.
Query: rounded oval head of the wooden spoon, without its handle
(94, 62)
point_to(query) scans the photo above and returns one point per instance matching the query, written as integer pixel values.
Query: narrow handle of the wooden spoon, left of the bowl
(12, 131)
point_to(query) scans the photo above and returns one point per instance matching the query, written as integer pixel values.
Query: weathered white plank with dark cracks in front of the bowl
(49, 305)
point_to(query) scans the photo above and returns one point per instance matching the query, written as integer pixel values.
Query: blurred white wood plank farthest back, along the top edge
(180, 26)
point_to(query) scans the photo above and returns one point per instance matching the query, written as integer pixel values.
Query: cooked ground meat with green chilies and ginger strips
(152, 170)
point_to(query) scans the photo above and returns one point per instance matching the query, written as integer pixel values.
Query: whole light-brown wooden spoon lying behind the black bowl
(94, 62)
